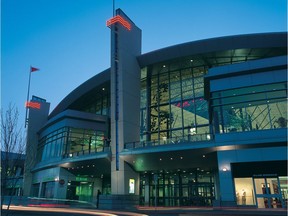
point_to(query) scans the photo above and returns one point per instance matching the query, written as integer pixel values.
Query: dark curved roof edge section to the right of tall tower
(259, 40)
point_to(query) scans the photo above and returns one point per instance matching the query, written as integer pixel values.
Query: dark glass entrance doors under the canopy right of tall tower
(177, 188)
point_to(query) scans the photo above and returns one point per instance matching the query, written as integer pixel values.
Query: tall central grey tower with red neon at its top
(125, 98)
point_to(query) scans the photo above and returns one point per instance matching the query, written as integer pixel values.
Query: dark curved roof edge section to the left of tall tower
(84, 88)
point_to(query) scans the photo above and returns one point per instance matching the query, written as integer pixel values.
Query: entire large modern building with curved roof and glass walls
(197, 124)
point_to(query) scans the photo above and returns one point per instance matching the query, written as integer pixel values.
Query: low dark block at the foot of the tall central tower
(118, 202)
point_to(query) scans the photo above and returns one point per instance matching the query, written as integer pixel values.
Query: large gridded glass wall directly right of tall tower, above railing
(172, 101)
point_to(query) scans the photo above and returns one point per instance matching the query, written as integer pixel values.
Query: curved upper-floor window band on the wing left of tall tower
(69, 142)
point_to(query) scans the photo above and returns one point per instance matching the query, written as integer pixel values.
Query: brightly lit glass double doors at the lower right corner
(268, 192)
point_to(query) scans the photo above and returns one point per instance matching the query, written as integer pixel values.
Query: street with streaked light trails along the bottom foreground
(144, 211)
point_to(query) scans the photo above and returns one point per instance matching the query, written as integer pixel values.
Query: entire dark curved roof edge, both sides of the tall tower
(201, 47)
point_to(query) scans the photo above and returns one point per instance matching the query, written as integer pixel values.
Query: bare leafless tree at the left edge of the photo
(12, 152)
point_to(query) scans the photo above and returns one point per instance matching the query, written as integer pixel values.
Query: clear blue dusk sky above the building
(69, 42)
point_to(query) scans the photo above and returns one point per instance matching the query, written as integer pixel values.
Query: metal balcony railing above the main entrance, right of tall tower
(169, 141)
